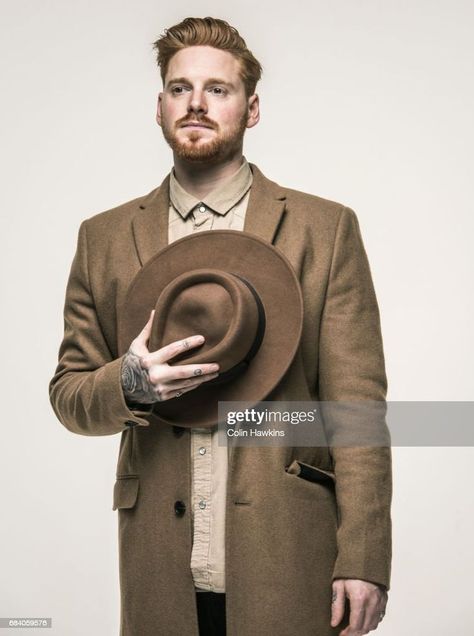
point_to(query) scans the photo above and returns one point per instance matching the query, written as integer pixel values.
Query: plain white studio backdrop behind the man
(367, 103)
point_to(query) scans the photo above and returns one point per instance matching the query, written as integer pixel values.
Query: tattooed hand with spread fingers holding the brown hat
(147, 377)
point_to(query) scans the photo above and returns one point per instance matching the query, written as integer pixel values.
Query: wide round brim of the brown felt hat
(274, 279)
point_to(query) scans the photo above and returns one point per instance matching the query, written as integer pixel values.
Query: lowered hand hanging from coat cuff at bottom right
(367, 605)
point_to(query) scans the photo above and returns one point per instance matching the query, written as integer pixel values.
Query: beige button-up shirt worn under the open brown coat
(224, 208)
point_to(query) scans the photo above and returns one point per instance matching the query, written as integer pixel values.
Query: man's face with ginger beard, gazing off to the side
(203, 109)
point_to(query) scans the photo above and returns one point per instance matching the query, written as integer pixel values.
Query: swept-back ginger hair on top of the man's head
(208, 32)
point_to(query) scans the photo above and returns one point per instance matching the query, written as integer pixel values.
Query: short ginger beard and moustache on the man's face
(194, 149)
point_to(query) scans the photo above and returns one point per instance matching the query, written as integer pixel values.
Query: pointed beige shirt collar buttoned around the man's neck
(220, 200)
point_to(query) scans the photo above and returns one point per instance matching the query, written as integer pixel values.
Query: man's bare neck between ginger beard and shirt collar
(201, 178)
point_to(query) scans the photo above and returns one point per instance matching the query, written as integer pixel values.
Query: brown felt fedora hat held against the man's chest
(238, 291)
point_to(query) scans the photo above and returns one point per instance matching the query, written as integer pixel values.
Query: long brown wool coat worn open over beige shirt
(286, 537)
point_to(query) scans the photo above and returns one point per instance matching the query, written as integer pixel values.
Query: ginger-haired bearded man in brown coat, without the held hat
(209, 544)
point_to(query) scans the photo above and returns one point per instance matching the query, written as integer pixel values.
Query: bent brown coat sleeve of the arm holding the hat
(86, 391)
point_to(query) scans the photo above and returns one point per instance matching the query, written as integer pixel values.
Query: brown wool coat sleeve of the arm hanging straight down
(351, 369)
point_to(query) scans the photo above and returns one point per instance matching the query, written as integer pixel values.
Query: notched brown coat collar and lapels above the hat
(265, 210)
